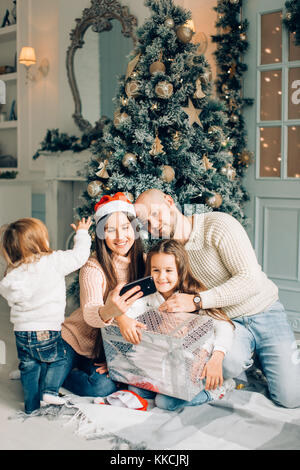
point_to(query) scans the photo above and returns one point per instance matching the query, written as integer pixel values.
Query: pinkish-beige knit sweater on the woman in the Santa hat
(80, 329)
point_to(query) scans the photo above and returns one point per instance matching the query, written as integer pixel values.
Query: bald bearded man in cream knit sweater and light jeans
(222, 257)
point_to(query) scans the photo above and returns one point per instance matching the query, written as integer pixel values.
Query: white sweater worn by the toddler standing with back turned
(36, 292)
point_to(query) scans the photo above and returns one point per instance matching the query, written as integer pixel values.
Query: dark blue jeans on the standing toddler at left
(42, 359)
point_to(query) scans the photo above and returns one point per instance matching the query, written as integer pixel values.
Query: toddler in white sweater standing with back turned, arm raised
(34, 287)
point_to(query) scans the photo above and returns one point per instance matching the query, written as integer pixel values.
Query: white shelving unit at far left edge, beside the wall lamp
(9, 128)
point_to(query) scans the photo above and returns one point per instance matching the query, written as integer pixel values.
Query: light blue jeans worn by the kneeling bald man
(270, 336)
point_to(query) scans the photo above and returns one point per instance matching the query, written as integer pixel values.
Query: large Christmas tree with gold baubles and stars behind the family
(168, 132)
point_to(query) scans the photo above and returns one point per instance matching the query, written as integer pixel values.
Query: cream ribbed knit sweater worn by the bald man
(222, 257)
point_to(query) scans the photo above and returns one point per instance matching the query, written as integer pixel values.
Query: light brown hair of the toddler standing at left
(24, 241)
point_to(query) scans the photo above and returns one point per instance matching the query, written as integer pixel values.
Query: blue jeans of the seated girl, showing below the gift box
(171, 403)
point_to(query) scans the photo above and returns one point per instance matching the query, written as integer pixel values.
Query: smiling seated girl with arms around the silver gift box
(168, 264)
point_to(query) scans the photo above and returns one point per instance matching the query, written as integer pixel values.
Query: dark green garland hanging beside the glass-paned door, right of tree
(232, 44)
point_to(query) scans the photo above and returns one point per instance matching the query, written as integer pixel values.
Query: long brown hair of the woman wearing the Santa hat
(105, 259)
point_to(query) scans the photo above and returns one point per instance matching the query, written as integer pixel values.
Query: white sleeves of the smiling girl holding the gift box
(221, 340)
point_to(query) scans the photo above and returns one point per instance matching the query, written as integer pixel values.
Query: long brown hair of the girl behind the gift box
(187, 283)
